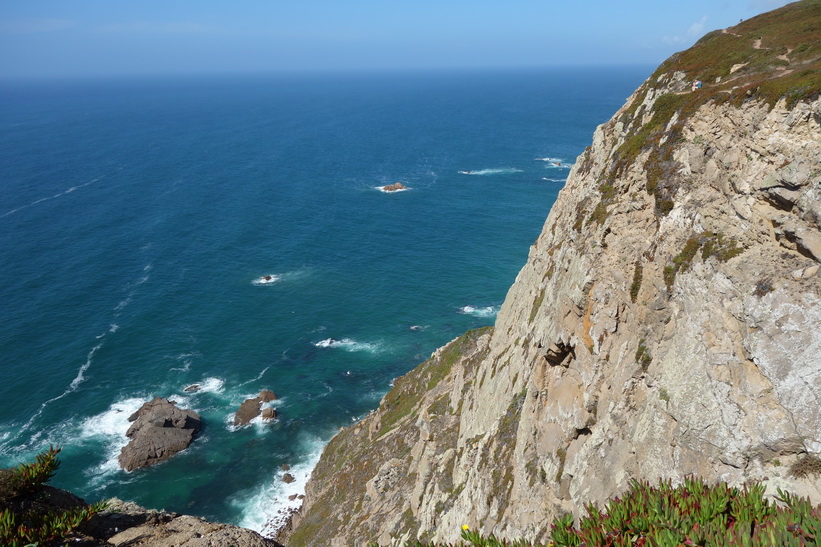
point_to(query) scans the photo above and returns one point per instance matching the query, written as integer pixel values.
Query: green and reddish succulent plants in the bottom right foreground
(694, 514)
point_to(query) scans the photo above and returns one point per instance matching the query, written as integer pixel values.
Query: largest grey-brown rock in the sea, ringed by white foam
(159, 431)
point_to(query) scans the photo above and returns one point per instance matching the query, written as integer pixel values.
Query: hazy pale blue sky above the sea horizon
(76, 38)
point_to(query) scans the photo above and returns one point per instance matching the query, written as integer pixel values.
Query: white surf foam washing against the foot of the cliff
(266, 509)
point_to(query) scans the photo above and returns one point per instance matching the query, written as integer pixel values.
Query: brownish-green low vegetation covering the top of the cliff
(771, 57)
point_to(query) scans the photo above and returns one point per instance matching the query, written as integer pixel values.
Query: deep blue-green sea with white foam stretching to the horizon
(139, 217)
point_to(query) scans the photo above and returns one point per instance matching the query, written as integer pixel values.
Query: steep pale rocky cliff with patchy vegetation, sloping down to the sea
(667, 322)
